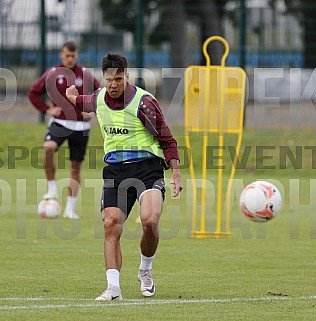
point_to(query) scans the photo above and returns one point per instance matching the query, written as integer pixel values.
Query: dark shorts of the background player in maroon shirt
(77, 140)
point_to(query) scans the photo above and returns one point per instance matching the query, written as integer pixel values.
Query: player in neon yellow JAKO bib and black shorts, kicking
(138, 147)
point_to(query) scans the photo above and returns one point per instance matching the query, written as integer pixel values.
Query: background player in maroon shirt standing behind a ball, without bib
(66, 123)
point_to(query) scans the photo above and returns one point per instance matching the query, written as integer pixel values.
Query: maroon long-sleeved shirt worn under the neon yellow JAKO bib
(150, 115)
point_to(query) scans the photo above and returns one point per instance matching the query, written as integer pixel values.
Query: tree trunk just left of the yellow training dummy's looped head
(175, 24)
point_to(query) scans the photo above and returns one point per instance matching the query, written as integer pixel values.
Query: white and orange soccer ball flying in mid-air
(260, 201)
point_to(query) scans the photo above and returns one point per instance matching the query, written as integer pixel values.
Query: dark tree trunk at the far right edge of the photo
(309, 22)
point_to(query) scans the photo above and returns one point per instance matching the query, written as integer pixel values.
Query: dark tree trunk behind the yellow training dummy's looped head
(210, 24)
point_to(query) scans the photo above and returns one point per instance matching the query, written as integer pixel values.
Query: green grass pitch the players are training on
(53, 269)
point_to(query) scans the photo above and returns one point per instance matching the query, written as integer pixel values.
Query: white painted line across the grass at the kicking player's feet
(136, 302)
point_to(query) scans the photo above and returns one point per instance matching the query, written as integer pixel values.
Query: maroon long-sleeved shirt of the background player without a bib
(55, 81)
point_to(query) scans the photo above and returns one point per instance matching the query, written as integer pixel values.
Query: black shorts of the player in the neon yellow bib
(125, 183)
